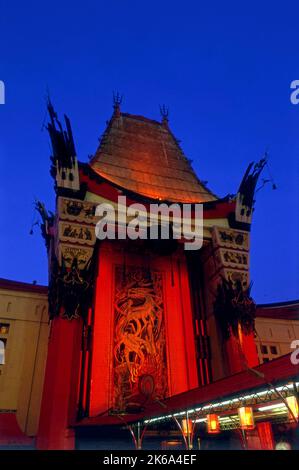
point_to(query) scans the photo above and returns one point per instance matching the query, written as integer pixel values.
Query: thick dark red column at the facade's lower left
(58, 408)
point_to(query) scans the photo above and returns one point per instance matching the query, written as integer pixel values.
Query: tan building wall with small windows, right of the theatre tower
(274, 337)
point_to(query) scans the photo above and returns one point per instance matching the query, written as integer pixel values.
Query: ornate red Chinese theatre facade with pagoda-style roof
(135, 323)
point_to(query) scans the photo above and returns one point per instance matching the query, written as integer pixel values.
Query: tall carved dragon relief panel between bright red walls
(139, 345)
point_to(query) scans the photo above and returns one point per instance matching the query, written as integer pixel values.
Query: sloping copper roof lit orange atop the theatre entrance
(143, 156)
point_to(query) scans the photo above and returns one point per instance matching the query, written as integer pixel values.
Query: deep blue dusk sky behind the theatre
(224, 70)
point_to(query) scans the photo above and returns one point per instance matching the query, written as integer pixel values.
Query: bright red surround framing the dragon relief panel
(181, 363)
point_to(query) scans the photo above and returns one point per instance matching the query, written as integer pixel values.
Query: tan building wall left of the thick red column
(25, 330)
